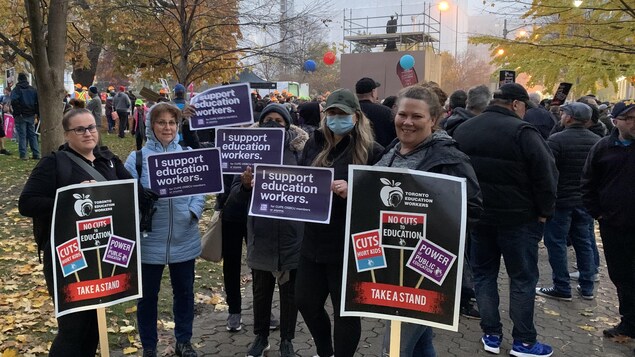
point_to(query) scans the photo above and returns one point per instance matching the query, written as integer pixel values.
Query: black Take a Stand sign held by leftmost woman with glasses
(105, 216)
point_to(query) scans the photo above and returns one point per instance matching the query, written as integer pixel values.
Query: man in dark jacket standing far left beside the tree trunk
(25, 105)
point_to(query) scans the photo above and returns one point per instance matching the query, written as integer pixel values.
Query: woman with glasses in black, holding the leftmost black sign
(77, 332)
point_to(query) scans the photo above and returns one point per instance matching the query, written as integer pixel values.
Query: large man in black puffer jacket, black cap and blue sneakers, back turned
(517, 175)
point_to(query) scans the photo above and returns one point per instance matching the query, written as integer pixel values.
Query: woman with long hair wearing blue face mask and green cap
(344, 138)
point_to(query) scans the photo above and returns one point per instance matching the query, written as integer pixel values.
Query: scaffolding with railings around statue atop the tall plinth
(413, 31)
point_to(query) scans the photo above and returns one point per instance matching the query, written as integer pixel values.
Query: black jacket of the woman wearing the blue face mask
(324, 243)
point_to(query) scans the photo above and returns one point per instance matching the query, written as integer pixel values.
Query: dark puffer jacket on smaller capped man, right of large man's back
(570, 148)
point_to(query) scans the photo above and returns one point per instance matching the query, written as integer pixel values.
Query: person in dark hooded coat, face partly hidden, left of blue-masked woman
(273, 245)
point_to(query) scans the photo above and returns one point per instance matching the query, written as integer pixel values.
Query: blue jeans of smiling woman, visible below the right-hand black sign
(416, 341)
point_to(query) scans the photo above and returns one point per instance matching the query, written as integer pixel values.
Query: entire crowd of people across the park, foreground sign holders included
(533, 170)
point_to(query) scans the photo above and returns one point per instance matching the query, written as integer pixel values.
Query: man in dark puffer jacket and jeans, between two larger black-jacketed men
(570, 148)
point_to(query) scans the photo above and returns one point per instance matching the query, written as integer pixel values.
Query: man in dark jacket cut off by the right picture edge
(608, 194)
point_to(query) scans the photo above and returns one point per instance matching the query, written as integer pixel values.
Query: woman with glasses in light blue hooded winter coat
(174, 240)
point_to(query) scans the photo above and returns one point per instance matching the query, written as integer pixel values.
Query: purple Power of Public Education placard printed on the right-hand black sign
(431, 261)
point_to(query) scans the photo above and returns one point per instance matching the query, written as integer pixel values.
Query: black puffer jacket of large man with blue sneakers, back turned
(514, 166)
